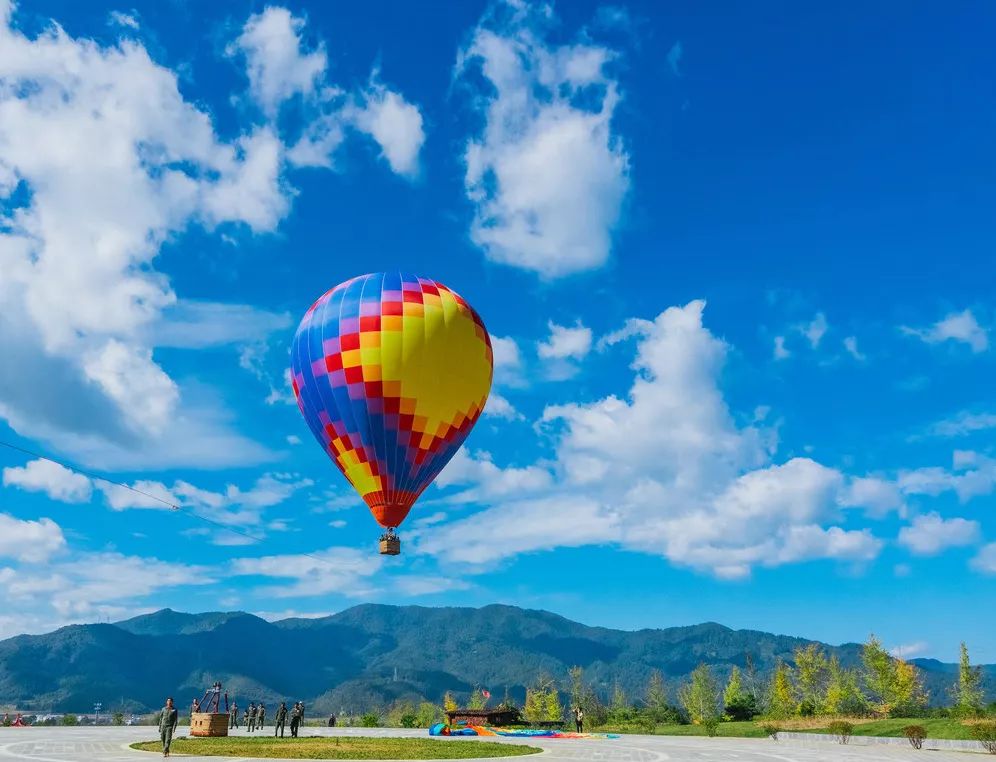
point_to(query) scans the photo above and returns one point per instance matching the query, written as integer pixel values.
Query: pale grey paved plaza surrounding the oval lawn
(111, 743)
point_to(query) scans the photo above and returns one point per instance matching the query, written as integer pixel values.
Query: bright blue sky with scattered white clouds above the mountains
(737, 263)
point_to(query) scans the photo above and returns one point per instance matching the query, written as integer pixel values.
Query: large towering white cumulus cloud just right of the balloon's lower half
(664, 470)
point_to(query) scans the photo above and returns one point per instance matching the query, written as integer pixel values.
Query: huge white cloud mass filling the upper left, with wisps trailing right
(112, 161)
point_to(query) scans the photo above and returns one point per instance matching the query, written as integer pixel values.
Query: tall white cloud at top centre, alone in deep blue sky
(547, 174)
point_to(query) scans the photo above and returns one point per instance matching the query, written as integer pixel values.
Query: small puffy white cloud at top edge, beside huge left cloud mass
(276, 63)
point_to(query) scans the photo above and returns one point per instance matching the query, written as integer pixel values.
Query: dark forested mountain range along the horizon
(369, 655)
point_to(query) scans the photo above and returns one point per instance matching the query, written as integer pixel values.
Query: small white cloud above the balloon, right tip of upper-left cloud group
(394, 123)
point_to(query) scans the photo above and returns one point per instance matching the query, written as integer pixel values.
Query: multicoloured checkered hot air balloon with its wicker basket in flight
(391, 372)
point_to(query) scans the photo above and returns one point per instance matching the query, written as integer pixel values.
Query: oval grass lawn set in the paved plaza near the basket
(339, 748)
